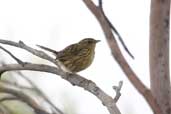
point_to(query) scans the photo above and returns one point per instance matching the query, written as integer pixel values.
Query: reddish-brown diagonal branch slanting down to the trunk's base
(120, 59)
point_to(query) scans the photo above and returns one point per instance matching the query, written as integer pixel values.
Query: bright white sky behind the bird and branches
(58, 23)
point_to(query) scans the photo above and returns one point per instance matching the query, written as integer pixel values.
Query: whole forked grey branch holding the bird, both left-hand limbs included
(74, 79)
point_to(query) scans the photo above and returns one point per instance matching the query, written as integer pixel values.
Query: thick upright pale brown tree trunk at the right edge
(159, 53)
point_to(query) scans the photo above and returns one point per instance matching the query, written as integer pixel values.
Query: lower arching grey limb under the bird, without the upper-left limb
(74, 79)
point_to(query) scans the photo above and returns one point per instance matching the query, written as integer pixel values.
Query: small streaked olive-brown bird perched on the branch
(76, 57)
